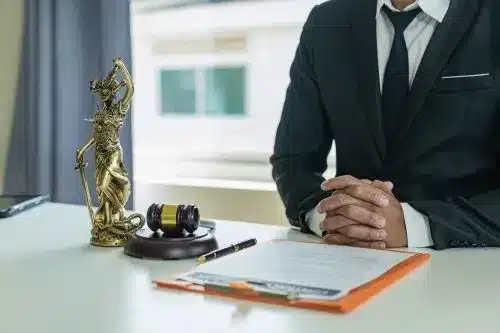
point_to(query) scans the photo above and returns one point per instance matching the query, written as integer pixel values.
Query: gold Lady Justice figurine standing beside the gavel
(110, 226)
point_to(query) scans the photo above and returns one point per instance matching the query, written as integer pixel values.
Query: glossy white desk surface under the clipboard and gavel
(52, 280)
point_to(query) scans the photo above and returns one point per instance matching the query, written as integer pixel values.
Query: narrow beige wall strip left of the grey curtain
(11, 30)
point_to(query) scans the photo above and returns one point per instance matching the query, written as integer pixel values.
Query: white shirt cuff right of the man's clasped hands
(417, 227)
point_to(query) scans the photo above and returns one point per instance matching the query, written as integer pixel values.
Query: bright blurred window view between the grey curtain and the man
(211, 78)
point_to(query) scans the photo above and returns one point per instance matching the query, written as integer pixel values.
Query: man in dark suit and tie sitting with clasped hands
(409, 90)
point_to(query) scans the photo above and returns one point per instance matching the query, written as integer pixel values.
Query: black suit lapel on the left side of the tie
(364, 43)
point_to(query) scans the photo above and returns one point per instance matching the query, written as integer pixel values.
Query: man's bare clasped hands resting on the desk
(362, 213)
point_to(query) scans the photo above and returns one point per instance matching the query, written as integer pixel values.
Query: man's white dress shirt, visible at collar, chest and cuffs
(417, 36)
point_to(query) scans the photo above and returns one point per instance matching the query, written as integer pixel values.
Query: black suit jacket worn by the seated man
(444, 159)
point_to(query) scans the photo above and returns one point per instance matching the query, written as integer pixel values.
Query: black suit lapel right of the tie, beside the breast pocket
(441, 46)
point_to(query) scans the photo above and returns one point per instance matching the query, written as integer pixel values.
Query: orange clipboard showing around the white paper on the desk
(344, 304)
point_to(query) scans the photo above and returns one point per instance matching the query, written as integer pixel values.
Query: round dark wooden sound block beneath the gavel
(146, 244)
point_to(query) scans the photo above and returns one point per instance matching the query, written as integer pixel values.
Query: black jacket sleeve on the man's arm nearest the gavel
(303, 138)
